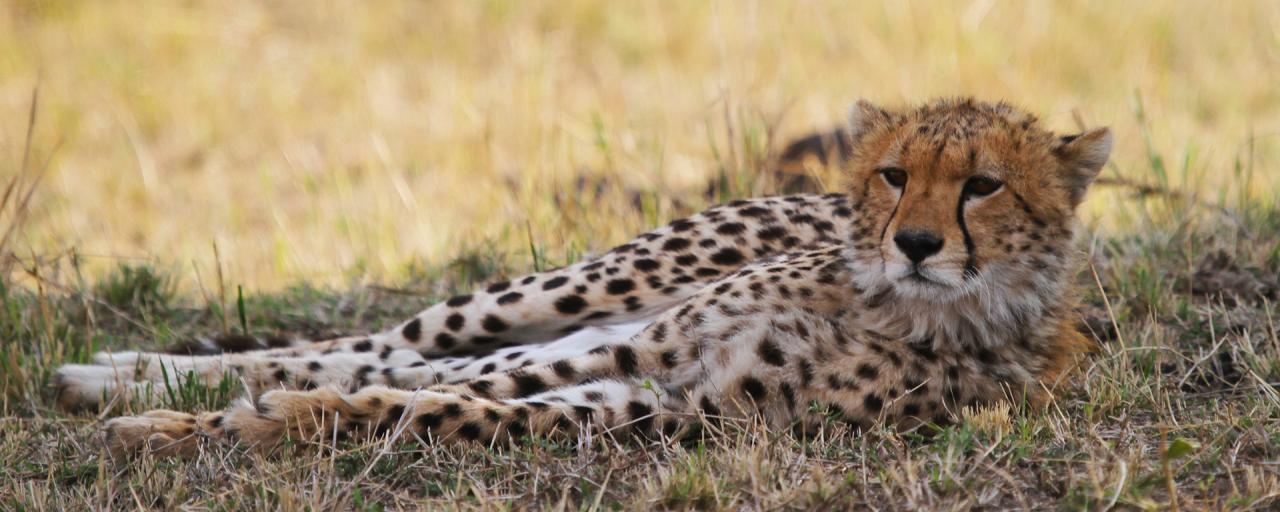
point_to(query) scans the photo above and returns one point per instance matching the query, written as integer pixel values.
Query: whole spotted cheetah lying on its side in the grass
(939, 278)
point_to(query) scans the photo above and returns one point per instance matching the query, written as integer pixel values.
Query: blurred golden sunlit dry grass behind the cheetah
(350, 141)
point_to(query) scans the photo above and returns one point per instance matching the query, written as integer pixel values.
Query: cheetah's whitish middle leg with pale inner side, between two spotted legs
(144, 378)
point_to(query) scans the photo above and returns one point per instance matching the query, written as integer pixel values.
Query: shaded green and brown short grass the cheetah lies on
(1182, 403)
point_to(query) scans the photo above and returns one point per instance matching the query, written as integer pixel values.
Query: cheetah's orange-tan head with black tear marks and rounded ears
(963, 198)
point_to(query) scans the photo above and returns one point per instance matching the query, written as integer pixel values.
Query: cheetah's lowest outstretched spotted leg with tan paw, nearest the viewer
(605, 406)
